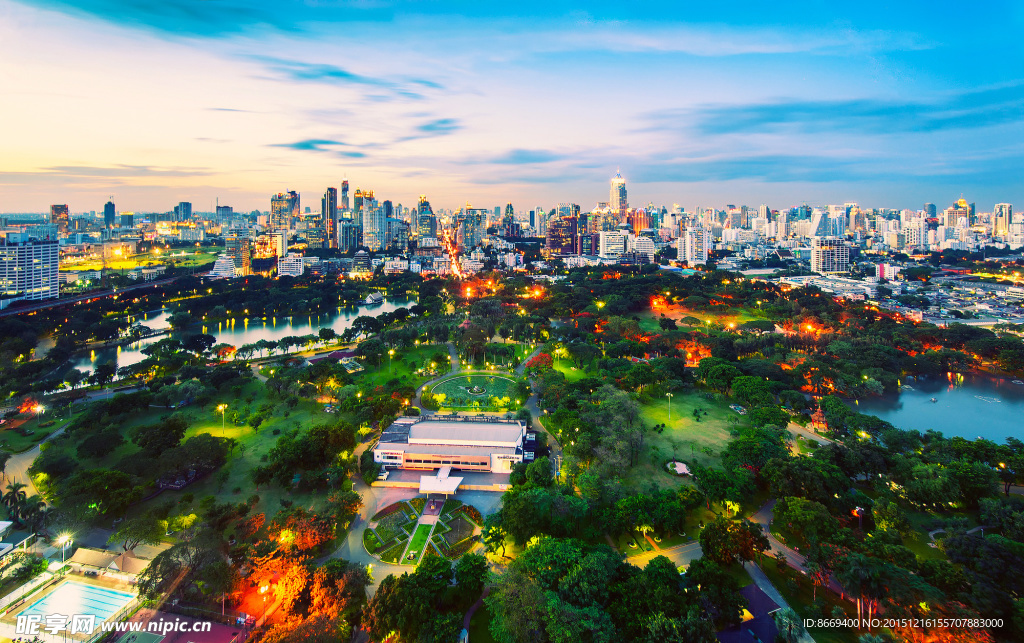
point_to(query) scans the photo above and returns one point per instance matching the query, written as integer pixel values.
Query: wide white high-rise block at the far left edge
(28, 268)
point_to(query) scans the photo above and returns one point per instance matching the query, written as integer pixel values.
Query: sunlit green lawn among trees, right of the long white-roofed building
(685, 439)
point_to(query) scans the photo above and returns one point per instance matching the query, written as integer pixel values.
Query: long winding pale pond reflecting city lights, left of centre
(237, 332)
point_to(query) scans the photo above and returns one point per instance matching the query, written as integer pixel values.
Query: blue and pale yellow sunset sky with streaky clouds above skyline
(884, 104)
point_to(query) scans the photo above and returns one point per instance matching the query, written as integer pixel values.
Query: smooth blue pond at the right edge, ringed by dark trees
(969, 406)
